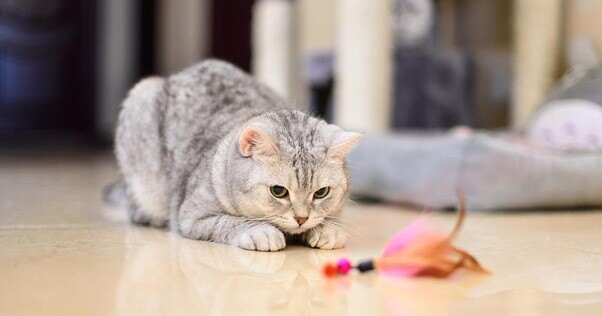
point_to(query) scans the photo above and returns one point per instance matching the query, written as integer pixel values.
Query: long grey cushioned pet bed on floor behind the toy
(493, 171)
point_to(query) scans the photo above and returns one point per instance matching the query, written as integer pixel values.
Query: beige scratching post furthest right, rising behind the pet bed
(537, 43)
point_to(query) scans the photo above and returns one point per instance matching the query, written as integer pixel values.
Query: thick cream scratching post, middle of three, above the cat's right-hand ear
(363, 65)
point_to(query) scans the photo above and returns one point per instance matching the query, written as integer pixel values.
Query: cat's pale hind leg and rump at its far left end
(138, 151)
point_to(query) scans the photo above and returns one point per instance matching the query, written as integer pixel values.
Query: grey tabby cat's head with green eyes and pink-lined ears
(291, 170)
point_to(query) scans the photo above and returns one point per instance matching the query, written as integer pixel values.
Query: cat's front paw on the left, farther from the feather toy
(262, 238)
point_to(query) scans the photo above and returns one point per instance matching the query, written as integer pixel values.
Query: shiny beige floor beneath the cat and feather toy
(63, 253)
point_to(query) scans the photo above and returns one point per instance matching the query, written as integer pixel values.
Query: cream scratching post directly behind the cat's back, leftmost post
(274, 46)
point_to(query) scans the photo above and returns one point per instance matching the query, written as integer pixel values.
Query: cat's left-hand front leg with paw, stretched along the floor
(197, 223)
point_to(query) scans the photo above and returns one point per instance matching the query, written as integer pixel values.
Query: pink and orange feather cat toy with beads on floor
(416, 251)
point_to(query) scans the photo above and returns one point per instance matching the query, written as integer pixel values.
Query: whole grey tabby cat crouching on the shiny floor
(220, 157)
